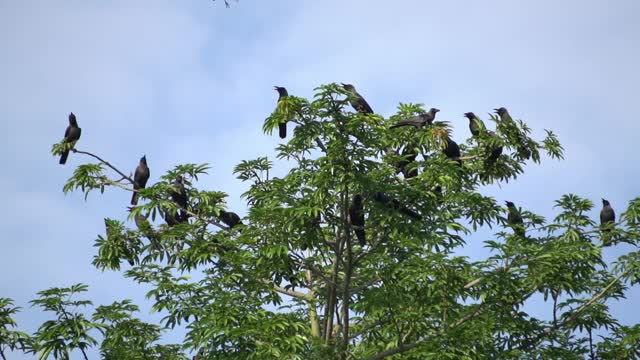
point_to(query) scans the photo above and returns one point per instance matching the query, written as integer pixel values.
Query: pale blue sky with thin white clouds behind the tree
(192, 81)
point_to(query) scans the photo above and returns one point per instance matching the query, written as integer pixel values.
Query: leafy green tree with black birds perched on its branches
(293, 282)
